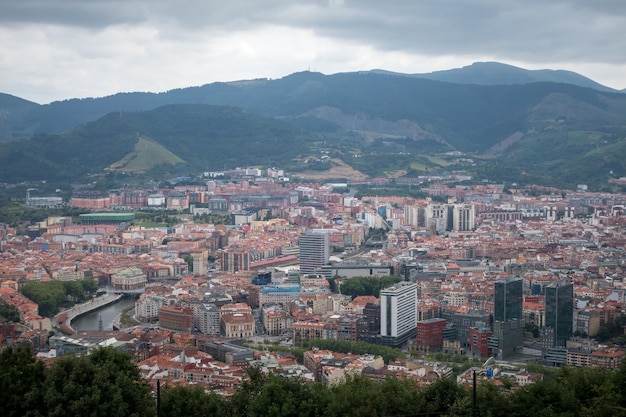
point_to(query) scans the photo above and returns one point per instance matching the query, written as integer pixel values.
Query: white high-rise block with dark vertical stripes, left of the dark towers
(398, 313)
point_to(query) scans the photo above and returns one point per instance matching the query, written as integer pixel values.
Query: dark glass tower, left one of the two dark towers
(508, 326)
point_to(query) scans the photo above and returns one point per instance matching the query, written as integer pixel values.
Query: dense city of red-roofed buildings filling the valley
(520, 276)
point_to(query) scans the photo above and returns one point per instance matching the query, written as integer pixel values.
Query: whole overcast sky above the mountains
(60, 49)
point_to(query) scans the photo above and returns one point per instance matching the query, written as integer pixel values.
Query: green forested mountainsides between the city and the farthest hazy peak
(546, 132)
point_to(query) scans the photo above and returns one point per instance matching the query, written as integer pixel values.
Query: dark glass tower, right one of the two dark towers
(559, 313)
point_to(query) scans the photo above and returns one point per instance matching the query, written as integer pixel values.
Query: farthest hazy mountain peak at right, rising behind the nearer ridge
(495, 73)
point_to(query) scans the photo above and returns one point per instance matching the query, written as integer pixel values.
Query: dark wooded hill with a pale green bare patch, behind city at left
(187, 137)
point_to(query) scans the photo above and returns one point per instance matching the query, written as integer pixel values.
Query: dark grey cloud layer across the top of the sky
(530, 30)
